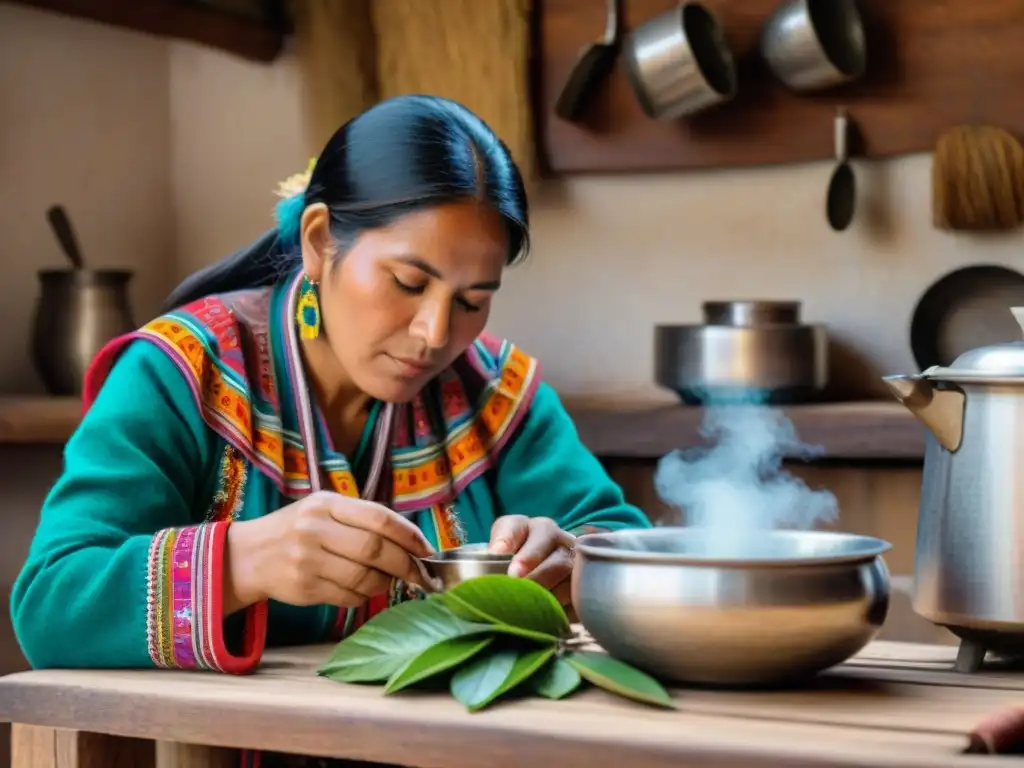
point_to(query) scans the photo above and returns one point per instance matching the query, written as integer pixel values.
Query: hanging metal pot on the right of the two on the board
(814, 45)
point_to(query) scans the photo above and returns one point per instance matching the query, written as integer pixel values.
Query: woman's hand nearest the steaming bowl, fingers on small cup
(543, 551)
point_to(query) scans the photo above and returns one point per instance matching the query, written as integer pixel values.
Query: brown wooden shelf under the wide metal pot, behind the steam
(867, 431)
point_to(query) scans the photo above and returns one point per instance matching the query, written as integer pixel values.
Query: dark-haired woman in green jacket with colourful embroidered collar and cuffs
(261, 464)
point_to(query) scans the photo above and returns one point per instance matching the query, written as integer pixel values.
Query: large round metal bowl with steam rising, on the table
(787, 607)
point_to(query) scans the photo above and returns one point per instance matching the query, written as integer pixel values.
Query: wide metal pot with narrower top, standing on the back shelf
(746, 352)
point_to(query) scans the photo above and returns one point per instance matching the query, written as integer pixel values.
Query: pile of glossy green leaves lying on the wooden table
(485, 638)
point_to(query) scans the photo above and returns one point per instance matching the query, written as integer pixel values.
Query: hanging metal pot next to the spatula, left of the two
(679, 63)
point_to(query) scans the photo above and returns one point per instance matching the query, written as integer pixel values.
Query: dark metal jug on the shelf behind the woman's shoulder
(77, 313)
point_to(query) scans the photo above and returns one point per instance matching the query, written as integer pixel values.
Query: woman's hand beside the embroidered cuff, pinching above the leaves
(325, 549)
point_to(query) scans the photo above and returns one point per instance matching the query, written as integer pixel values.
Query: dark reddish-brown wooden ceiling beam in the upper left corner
(242, 37)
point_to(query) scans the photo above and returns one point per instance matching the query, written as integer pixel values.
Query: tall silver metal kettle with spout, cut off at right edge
(968, 564)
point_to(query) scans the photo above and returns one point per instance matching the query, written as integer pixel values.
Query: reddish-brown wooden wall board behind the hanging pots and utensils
(932, 64)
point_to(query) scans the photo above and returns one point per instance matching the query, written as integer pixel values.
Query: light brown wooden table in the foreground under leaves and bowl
(897, 705)
